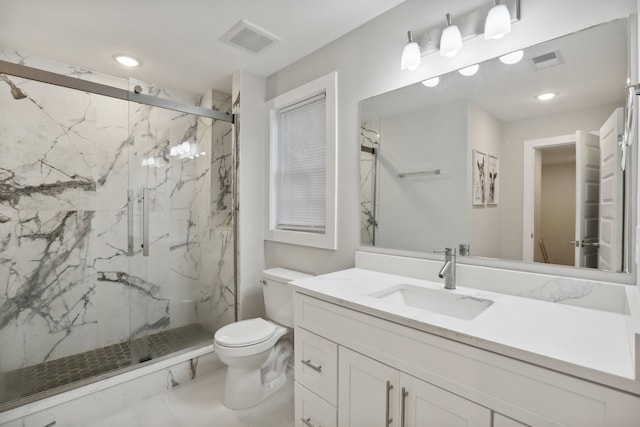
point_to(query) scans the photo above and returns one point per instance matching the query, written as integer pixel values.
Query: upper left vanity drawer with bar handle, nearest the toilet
(317, 364)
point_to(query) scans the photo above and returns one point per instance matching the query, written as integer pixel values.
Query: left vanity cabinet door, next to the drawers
(367, 391)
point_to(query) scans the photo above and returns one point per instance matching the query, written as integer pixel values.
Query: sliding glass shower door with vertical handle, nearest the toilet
(170, 185)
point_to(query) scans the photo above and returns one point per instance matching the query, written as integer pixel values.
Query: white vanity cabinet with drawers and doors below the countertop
(447, 382)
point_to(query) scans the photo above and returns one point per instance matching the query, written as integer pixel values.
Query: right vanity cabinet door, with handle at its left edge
(428, 405)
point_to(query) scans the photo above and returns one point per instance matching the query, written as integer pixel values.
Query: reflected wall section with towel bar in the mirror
(428, 205)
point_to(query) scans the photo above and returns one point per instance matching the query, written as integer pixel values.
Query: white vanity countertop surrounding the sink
(590, 344)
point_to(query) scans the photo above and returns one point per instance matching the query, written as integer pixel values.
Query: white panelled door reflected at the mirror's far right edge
(611, 177)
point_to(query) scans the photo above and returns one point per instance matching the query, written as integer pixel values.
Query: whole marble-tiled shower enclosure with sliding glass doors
(116, 226)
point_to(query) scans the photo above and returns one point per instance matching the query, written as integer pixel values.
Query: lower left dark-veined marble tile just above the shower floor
(48, 285)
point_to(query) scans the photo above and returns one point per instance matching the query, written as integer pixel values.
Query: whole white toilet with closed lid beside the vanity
(256, 351)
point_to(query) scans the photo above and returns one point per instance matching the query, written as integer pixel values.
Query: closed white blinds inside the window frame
(301, 163)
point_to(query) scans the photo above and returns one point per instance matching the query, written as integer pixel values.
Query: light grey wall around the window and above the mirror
(367, 61)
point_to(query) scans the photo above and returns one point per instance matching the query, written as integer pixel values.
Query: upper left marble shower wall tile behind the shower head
(47, 155)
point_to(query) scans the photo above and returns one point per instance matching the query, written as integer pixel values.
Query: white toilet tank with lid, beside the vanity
(278, 294)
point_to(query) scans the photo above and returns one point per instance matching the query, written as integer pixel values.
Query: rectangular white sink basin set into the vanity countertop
(438, 301)
